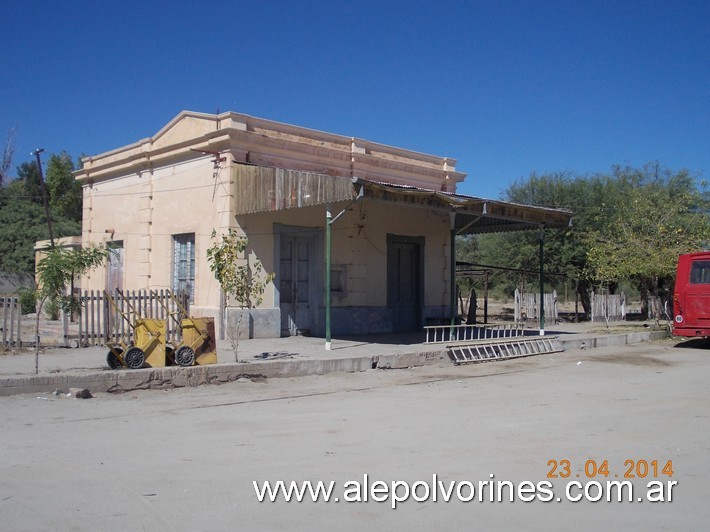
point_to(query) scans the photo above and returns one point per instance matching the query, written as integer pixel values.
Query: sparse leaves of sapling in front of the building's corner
(238, 279)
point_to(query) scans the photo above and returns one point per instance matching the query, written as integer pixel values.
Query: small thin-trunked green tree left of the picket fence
(56, 272)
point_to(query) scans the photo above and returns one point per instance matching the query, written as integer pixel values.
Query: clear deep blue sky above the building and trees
(505, 87)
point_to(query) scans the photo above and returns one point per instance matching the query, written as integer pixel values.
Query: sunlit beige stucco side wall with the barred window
(145, 209)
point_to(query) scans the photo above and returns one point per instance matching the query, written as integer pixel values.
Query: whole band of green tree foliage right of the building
(628, 226)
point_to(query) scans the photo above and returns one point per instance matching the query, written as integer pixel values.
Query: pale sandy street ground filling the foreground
(186, 459)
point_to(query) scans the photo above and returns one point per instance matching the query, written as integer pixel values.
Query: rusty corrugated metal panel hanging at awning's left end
(265, 189)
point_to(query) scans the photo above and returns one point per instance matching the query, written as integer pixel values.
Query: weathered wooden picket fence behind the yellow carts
(111, 317)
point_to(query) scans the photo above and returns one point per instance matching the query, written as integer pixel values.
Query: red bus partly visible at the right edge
(691, 299)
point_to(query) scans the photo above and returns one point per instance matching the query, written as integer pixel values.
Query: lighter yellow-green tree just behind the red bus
(660, 215)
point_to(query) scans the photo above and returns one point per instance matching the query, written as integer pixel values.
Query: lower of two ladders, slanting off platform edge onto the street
(502, 349)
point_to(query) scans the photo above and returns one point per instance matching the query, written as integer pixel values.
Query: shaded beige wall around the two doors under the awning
(359, 241)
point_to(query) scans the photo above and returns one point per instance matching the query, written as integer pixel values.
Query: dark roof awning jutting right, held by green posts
(473, 215)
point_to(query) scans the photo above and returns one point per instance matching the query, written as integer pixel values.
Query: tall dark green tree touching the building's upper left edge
(65, 195)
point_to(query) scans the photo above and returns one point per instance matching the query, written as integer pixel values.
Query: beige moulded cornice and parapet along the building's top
(261, 141)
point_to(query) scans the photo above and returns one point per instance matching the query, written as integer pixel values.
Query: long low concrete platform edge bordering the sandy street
(178, 377)
